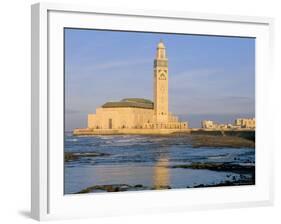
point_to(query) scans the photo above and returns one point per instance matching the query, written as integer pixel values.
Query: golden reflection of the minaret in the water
(161, 177)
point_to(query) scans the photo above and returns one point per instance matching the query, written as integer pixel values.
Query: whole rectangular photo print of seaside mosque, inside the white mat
(157, 111)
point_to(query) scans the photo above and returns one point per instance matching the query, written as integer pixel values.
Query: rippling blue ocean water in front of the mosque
(147, 161)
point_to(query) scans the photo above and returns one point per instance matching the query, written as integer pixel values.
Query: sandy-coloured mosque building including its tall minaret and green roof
(138, 113)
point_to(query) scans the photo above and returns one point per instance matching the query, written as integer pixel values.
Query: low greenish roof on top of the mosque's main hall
(130, 102)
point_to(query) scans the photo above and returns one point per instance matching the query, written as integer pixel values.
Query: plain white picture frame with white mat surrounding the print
(48, 201)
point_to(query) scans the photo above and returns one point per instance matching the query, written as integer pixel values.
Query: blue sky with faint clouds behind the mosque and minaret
(209, 76)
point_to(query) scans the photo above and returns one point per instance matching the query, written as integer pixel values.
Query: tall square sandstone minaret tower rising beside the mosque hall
(161, 84)
